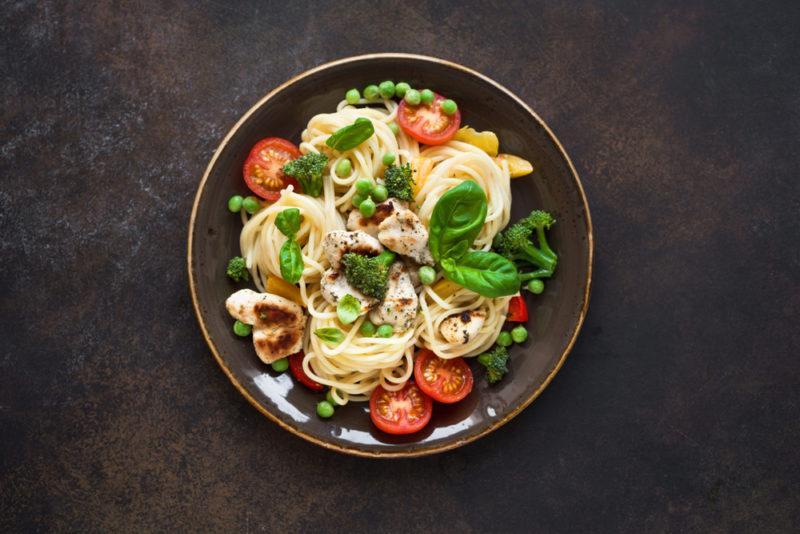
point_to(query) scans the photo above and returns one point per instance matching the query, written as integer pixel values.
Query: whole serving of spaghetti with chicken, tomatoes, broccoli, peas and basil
(382, 259)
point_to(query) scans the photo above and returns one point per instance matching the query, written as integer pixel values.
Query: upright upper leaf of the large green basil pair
(456, 221)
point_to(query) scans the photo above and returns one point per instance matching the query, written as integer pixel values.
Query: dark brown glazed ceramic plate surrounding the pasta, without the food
(556, 316)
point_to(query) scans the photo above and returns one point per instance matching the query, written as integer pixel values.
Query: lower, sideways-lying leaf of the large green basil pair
(486, 273)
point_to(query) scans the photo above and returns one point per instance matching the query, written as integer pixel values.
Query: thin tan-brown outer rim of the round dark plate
(424, 451)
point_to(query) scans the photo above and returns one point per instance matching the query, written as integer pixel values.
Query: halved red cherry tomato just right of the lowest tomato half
(445, 381)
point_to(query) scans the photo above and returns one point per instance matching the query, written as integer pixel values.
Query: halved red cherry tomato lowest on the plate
(400, 412)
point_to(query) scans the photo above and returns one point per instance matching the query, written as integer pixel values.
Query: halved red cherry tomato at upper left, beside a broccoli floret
(263, 168)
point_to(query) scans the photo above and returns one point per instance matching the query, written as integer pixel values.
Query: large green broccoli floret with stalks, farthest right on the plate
(516, 244)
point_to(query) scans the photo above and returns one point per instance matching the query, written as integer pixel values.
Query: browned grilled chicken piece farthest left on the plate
(278, 323)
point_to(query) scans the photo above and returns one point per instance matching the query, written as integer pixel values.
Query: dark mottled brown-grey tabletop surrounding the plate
(678, 410)
